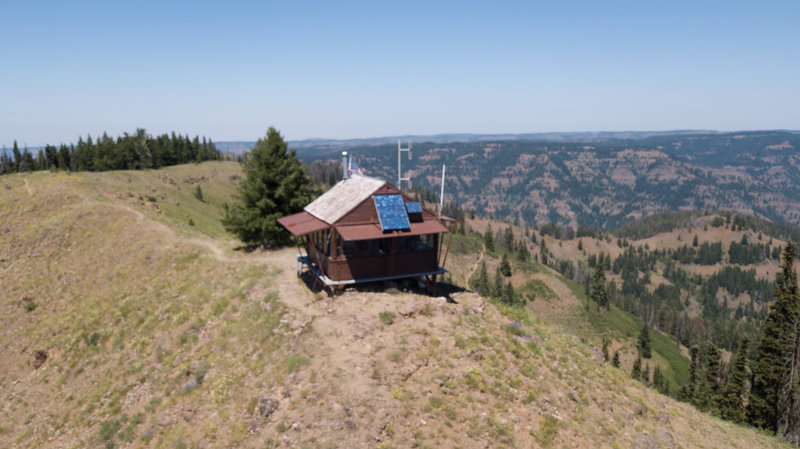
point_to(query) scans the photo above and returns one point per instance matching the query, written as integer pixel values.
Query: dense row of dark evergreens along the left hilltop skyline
(127, 152)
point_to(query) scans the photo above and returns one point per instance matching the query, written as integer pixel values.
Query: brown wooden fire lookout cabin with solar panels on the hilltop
(364, 230)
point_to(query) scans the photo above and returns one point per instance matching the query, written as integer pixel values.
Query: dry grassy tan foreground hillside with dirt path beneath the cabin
(150, 332)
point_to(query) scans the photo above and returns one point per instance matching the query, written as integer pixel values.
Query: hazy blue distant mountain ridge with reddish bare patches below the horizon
(604, 182)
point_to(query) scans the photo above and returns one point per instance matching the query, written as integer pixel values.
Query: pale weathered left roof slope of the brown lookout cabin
(343, 197)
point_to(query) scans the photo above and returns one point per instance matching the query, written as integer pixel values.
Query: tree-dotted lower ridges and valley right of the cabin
(731, 309)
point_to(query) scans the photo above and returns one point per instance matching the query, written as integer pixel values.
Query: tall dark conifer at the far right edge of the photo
(762, 410)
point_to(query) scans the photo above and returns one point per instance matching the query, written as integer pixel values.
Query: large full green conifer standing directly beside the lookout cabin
(275, 185)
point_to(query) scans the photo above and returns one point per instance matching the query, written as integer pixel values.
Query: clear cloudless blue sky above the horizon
(229, 70)
